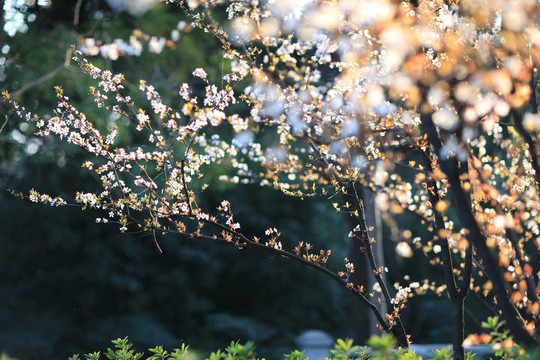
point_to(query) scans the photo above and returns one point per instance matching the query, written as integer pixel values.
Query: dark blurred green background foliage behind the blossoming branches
(69, 285)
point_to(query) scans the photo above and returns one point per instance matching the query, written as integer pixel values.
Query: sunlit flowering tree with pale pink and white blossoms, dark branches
(430, 105)
